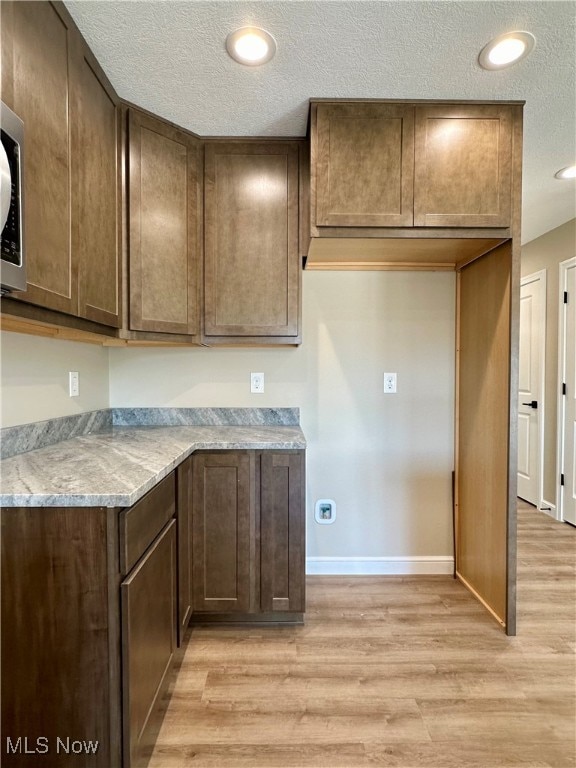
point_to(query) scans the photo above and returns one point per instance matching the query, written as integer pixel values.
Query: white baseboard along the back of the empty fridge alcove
(380, 566)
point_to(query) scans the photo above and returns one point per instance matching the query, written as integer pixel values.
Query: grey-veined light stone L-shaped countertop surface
(116, 467)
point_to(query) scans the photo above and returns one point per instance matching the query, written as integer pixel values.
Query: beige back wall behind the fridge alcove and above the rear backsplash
(385, 459)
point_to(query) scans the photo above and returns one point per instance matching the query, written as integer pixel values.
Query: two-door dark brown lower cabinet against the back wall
(248, 535)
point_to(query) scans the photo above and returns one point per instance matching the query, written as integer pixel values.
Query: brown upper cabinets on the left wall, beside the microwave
(71, 181)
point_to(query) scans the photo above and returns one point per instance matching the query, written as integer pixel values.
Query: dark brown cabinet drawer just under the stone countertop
(140, 524)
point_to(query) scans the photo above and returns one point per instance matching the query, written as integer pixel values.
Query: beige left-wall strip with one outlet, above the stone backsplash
(34, 378)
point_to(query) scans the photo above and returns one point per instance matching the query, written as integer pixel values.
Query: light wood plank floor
(390, 671)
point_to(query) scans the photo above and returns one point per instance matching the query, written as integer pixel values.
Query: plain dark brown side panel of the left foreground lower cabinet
(60, 638)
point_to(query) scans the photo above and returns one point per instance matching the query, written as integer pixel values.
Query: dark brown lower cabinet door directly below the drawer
(148, 642)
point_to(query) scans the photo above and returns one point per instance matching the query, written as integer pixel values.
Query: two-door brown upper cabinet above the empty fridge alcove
(401, 165)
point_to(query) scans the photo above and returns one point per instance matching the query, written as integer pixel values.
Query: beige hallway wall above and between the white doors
(547, 252)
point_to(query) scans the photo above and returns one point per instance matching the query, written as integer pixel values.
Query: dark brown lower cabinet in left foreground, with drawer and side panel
(88, 601)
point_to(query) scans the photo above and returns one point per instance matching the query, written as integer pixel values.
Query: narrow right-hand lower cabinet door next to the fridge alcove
(282, 538)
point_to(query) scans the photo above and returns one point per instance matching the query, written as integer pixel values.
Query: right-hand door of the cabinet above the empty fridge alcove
(463, 166)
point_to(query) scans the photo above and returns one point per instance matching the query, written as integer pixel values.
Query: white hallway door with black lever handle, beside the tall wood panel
(531, 386)
